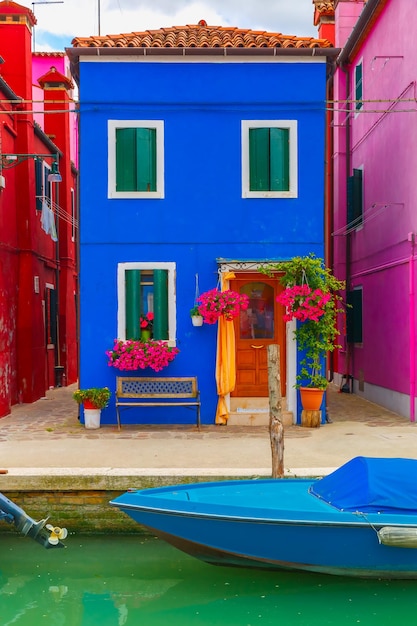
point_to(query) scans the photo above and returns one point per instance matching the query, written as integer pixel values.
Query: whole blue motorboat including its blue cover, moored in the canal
(360, 520)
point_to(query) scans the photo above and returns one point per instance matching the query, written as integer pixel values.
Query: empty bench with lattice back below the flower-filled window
(147, 392)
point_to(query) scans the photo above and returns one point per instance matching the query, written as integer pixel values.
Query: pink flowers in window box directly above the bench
(134, 355)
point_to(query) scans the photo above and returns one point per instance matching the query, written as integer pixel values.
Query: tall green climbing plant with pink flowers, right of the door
(311, 296)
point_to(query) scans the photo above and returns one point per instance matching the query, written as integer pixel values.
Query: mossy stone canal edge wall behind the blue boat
(78, 499)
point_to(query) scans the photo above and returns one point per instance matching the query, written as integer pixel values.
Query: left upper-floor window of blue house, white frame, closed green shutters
(135, 159)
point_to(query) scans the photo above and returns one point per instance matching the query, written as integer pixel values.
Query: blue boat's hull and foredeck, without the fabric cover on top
(273, 525)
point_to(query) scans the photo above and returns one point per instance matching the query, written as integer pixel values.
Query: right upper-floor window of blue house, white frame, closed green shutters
(269, 159)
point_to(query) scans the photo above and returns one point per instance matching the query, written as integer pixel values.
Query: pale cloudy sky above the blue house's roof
(58, 22)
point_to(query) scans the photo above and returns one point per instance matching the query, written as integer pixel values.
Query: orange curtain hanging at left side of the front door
(226, 359)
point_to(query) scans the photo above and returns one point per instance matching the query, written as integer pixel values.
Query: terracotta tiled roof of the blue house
(200, 36)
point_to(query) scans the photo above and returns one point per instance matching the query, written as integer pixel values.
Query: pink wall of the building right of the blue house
(383, 140)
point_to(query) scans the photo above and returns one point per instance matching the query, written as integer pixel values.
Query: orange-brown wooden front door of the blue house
(257, 327)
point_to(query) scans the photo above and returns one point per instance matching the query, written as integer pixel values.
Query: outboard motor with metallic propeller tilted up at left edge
(47, 535)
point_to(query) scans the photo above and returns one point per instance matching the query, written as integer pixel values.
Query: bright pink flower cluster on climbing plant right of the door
(302, 303)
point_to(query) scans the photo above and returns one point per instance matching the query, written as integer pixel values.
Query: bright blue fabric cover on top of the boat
(371, 484)
